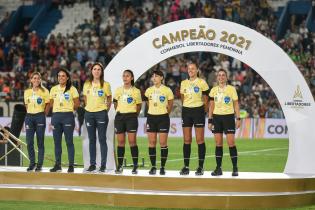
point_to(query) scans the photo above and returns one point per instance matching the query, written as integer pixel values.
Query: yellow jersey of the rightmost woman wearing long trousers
(96, 96)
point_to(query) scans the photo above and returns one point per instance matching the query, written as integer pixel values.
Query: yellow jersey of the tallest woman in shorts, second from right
(192, 91)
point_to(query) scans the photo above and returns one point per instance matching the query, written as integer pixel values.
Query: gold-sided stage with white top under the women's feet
(249, 190)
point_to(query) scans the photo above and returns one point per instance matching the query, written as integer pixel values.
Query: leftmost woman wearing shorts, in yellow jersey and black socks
(127, 102)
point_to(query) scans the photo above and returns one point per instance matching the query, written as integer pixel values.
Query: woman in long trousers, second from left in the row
(64, 99)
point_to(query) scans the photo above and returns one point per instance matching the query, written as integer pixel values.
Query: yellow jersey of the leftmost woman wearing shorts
(127, 99)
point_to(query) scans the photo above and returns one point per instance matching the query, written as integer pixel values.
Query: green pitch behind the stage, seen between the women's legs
(260, 155)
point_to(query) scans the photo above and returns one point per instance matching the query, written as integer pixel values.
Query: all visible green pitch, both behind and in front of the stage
(260, 155)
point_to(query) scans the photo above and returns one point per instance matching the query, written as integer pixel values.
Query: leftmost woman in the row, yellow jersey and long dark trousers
(36, 99)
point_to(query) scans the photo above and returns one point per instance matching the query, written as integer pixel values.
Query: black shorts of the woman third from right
(158, 123)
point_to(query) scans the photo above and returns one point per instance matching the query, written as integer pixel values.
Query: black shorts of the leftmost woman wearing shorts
(126, 122)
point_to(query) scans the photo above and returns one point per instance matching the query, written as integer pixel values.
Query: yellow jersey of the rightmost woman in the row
(223, 99)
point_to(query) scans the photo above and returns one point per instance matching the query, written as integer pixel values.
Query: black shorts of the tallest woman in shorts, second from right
(194, 116)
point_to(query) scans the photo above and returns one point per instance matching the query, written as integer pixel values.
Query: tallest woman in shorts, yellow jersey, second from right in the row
(194, 95)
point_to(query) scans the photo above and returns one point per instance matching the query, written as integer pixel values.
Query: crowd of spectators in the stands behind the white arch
(102, 37)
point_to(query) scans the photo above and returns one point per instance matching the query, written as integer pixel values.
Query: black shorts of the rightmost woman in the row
(223, 123)
